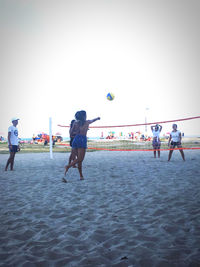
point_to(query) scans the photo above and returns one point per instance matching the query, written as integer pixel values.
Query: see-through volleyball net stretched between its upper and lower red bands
(138, 137)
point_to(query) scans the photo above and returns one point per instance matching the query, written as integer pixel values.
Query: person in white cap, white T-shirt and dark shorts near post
(13, 143)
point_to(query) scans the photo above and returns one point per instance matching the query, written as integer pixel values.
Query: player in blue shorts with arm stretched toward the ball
(80, 140)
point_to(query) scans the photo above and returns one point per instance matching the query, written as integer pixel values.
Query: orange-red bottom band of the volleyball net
(116, 149)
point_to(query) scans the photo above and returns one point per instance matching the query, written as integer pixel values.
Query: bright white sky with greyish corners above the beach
(61, 56)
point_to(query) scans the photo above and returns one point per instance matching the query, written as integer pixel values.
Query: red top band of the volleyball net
(140, 124)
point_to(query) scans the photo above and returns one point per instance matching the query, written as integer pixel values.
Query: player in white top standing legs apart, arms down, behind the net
(175, 139)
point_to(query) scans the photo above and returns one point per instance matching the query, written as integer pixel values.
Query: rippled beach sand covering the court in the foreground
(131, 210)
